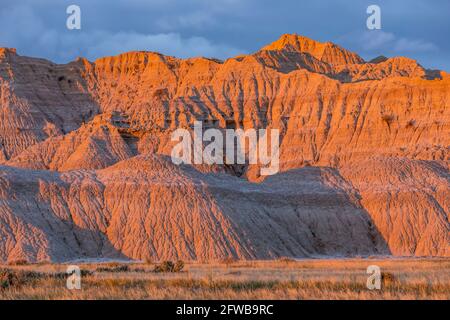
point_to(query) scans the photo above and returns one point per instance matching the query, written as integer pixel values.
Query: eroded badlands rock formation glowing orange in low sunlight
(85, 168)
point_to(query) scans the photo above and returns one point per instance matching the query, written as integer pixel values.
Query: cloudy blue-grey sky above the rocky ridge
(419, 29)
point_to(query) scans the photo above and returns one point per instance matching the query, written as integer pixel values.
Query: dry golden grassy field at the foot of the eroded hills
(281, 279)
